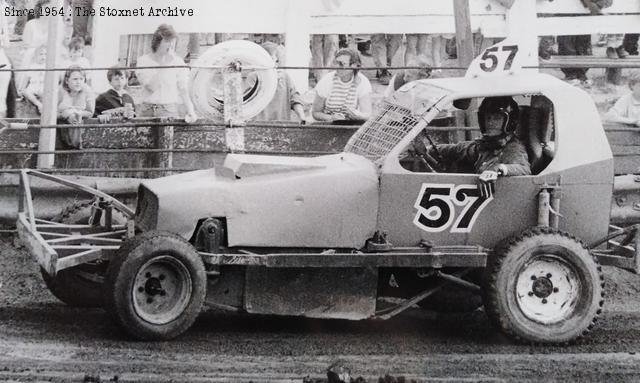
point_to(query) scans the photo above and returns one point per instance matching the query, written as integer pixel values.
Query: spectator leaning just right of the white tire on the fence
(285, 99)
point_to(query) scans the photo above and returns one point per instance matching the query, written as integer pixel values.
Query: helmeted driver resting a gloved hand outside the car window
(498, 153)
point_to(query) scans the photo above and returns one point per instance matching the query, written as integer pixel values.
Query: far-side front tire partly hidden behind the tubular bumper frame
(79, 286)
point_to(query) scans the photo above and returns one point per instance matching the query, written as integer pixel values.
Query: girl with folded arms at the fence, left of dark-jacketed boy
(76, 102)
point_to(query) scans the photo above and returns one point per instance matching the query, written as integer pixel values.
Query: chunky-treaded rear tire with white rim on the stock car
(544, 286)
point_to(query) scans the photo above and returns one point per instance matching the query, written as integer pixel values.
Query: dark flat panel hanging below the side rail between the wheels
(338, 293)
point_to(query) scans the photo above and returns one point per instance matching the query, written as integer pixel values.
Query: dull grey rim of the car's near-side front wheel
(161, 290)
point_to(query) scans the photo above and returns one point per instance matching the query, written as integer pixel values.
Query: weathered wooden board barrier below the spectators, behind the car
(128, 149)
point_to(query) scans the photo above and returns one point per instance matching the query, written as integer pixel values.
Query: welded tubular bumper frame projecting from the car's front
(58, 246)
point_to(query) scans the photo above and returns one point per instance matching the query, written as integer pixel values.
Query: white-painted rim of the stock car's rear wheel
(547, 289)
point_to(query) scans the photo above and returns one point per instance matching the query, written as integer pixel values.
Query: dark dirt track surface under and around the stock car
(43, 340)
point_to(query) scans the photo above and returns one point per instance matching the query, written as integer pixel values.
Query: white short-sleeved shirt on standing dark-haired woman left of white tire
(166, 83)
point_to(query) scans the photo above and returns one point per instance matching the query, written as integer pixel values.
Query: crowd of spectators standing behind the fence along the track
(343, 95)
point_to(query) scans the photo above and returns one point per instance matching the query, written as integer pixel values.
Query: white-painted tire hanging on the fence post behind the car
(206, 84)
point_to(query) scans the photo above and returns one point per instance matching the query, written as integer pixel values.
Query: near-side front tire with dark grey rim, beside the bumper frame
(155, 286)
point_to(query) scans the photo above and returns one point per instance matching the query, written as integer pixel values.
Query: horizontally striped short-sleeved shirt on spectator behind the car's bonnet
(339, 95)
